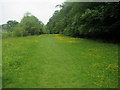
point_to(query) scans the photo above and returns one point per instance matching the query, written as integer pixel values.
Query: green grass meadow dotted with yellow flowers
(57, 61)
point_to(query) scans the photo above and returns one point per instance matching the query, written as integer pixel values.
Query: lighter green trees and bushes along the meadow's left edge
(29, 25)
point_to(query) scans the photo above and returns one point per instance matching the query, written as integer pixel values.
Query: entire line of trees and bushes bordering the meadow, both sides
(77, 19)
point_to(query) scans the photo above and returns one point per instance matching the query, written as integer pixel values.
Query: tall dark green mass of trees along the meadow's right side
(88, 19)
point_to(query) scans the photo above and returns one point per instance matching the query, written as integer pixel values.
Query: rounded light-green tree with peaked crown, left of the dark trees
(31, 25)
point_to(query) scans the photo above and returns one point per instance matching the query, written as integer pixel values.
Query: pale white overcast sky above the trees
(15, 9)
